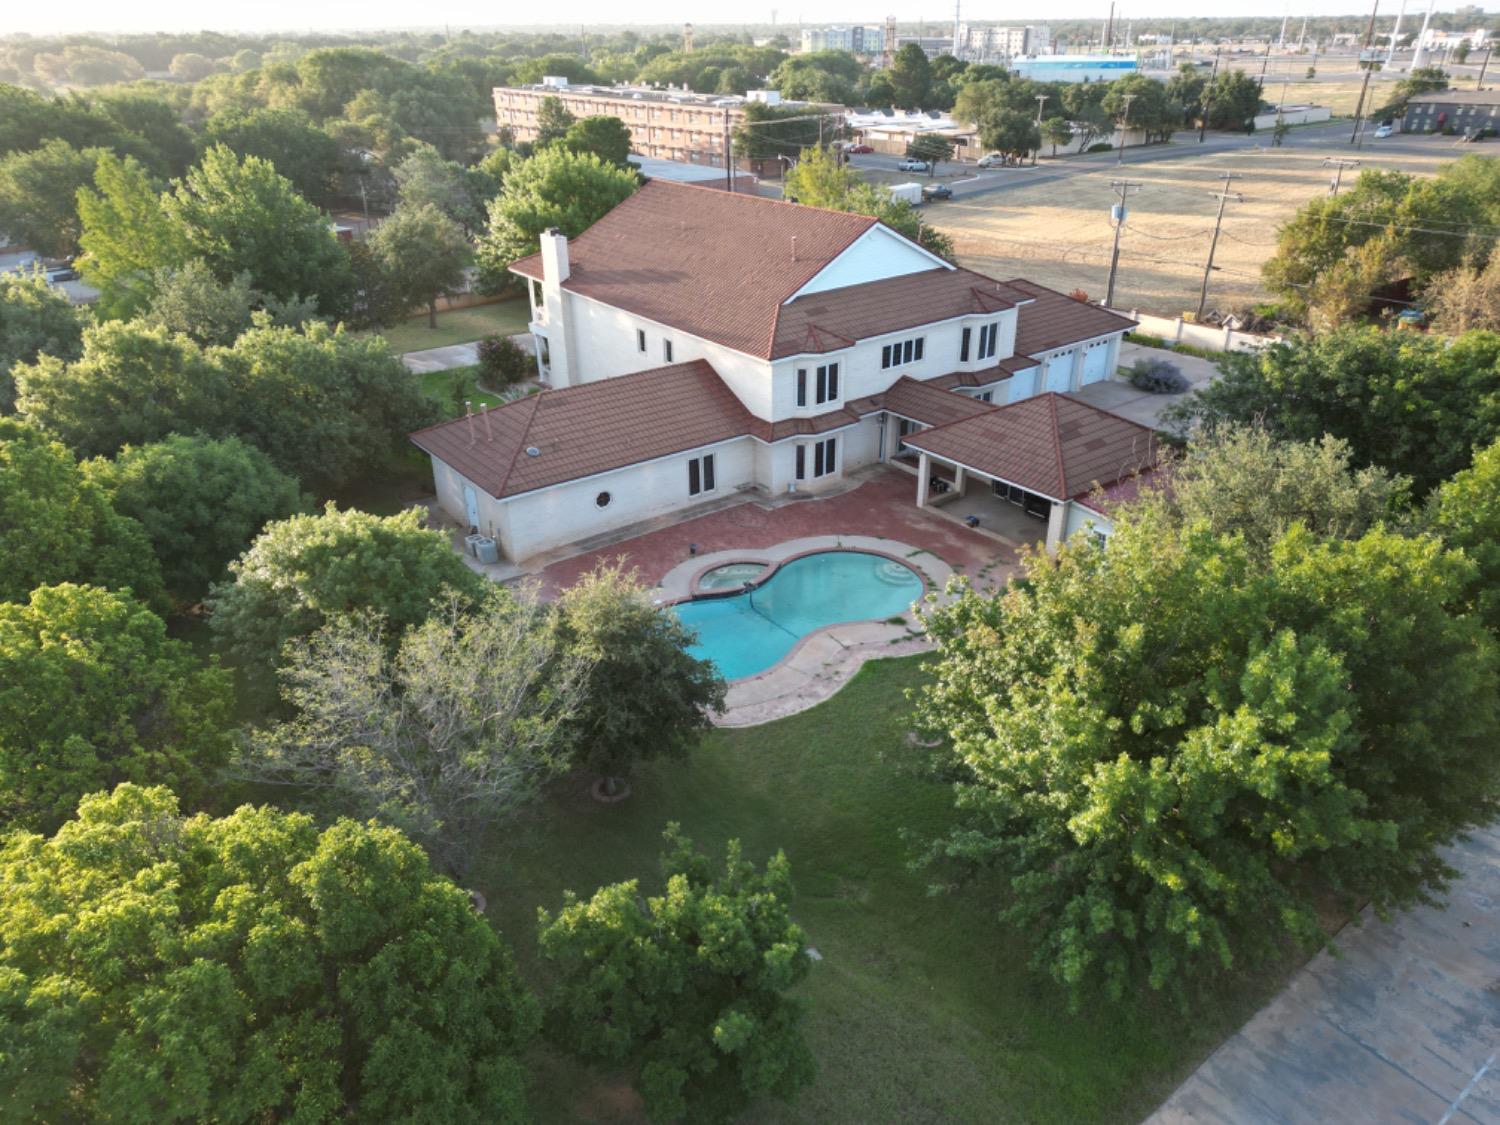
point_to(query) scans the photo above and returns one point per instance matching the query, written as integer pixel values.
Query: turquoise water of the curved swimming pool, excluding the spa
(746, 634)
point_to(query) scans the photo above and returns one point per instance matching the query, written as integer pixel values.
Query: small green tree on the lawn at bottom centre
(689, 988)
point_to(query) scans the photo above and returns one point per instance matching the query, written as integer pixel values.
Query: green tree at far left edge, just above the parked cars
(38, 196)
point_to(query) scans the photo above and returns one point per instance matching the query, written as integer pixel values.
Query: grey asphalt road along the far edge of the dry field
(1333, 139)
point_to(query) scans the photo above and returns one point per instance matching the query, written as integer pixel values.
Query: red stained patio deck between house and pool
(883, 506)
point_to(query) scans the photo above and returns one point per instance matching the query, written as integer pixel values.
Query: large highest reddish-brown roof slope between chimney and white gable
(712, 263)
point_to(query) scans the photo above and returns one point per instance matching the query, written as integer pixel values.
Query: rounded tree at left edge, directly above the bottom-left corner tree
(94, 694)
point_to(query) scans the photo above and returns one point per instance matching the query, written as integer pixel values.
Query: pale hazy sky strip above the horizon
(301, 16)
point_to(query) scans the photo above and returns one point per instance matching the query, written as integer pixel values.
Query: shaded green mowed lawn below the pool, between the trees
(923, 1009)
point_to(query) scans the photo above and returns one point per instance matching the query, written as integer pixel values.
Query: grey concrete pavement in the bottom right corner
(1405, 1027)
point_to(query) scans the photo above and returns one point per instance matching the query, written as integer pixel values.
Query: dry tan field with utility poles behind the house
(1058, 233)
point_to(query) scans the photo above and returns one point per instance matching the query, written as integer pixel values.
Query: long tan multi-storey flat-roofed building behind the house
(667, 125)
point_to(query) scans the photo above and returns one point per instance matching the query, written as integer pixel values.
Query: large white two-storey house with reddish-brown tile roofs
(695, 344)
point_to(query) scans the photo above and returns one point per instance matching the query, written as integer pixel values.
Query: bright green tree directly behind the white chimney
(556, 188)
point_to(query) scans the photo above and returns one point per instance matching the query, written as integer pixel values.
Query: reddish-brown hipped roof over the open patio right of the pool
(1051, 445)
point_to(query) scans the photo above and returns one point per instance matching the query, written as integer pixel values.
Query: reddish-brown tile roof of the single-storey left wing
(593, 428)
